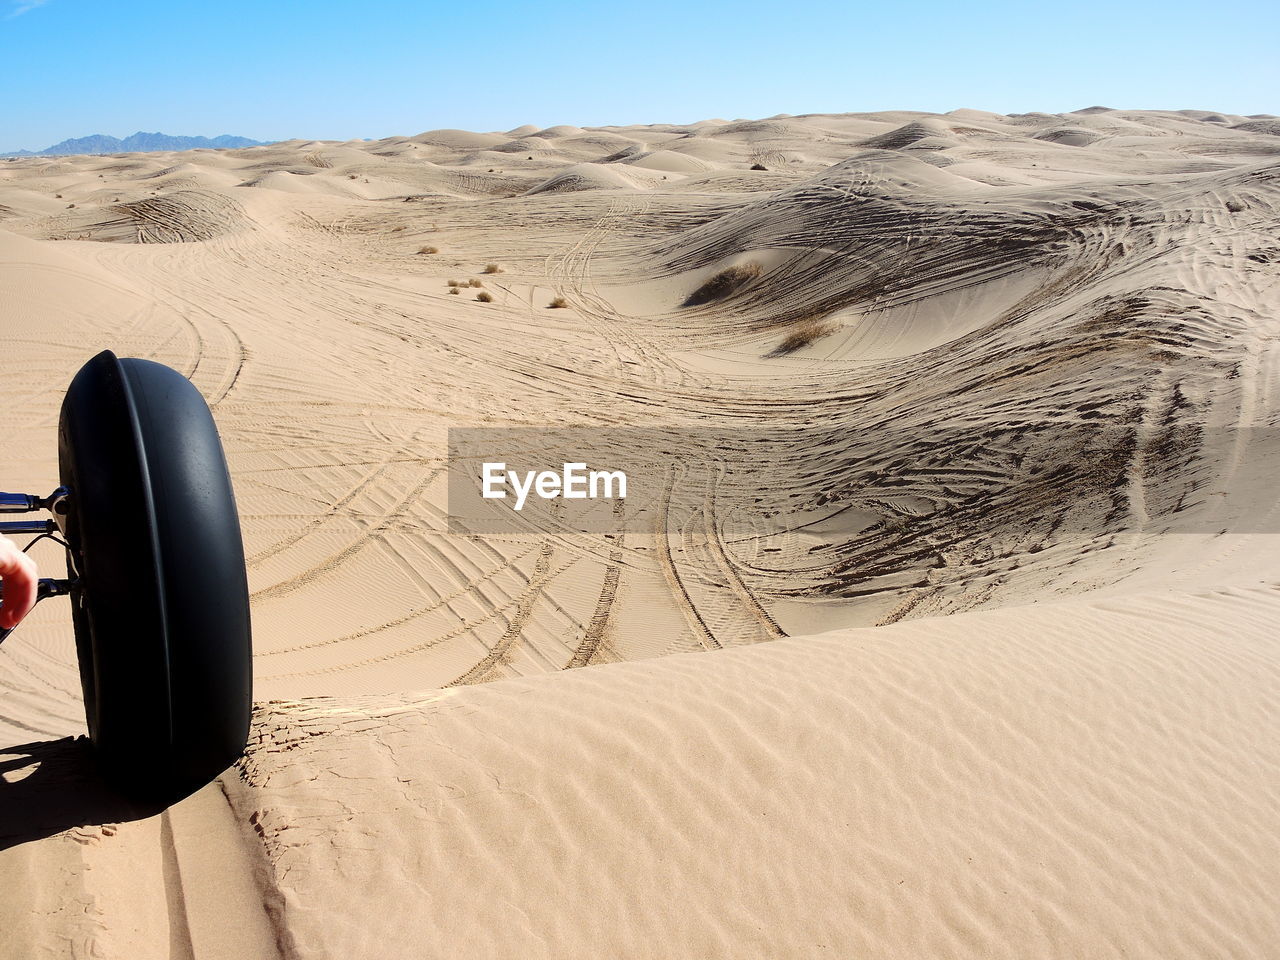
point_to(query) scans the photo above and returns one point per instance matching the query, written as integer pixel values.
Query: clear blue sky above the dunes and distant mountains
(336, 71)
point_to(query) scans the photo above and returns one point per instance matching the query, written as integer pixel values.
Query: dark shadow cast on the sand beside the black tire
(65, 790)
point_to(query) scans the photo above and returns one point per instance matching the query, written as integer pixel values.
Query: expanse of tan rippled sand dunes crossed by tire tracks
(1011, 388)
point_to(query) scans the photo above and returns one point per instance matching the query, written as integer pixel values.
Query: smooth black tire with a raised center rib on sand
(162, 606)
